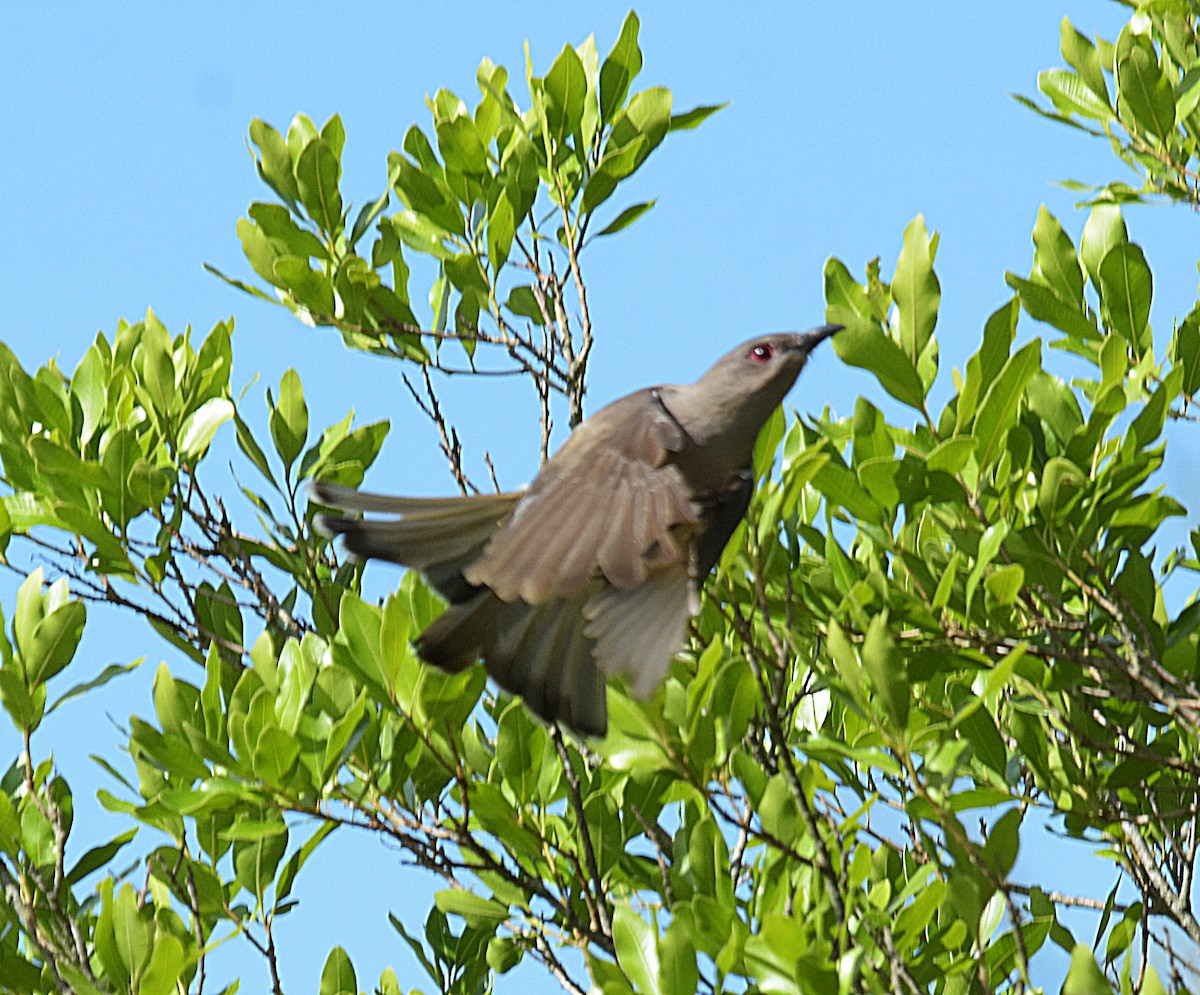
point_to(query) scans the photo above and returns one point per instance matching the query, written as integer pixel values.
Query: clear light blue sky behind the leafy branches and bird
(125, 169)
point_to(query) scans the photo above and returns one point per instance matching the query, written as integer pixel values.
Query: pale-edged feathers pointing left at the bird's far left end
(436, 536)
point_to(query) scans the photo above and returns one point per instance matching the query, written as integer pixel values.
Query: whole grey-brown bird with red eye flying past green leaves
(596, 568)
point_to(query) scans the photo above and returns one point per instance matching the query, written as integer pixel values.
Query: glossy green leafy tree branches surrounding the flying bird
(940, 628)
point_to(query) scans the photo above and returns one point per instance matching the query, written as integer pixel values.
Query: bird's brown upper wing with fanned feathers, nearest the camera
(610, 504)
